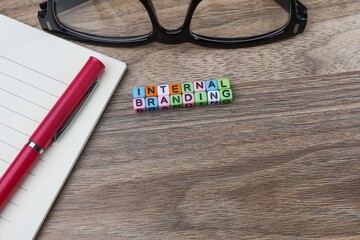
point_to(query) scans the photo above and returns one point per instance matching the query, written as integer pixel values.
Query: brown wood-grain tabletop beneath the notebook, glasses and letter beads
(281, 162)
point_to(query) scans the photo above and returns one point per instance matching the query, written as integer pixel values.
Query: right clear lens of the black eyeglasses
(237, 18)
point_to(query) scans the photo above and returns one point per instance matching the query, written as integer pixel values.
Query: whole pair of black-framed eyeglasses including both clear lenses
(212, 23)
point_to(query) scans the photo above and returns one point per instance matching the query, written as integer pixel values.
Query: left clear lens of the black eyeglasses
(108, 18)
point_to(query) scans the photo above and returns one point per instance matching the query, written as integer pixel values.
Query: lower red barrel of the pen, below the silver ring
(16, 172)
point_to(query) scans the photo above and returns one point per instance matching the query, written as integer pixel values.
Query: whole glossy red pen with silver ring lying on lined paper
(52, 125)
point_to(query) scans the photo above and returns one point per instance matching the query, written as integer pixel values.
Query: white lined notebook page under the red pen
(35, 68)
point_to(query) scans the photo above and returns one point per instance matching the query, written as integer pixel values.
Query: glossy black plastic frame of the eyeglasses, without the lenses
(295, 25)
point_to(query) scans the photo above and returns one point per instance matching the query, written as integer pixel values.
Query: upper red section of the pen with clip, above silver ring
(67, 103)
